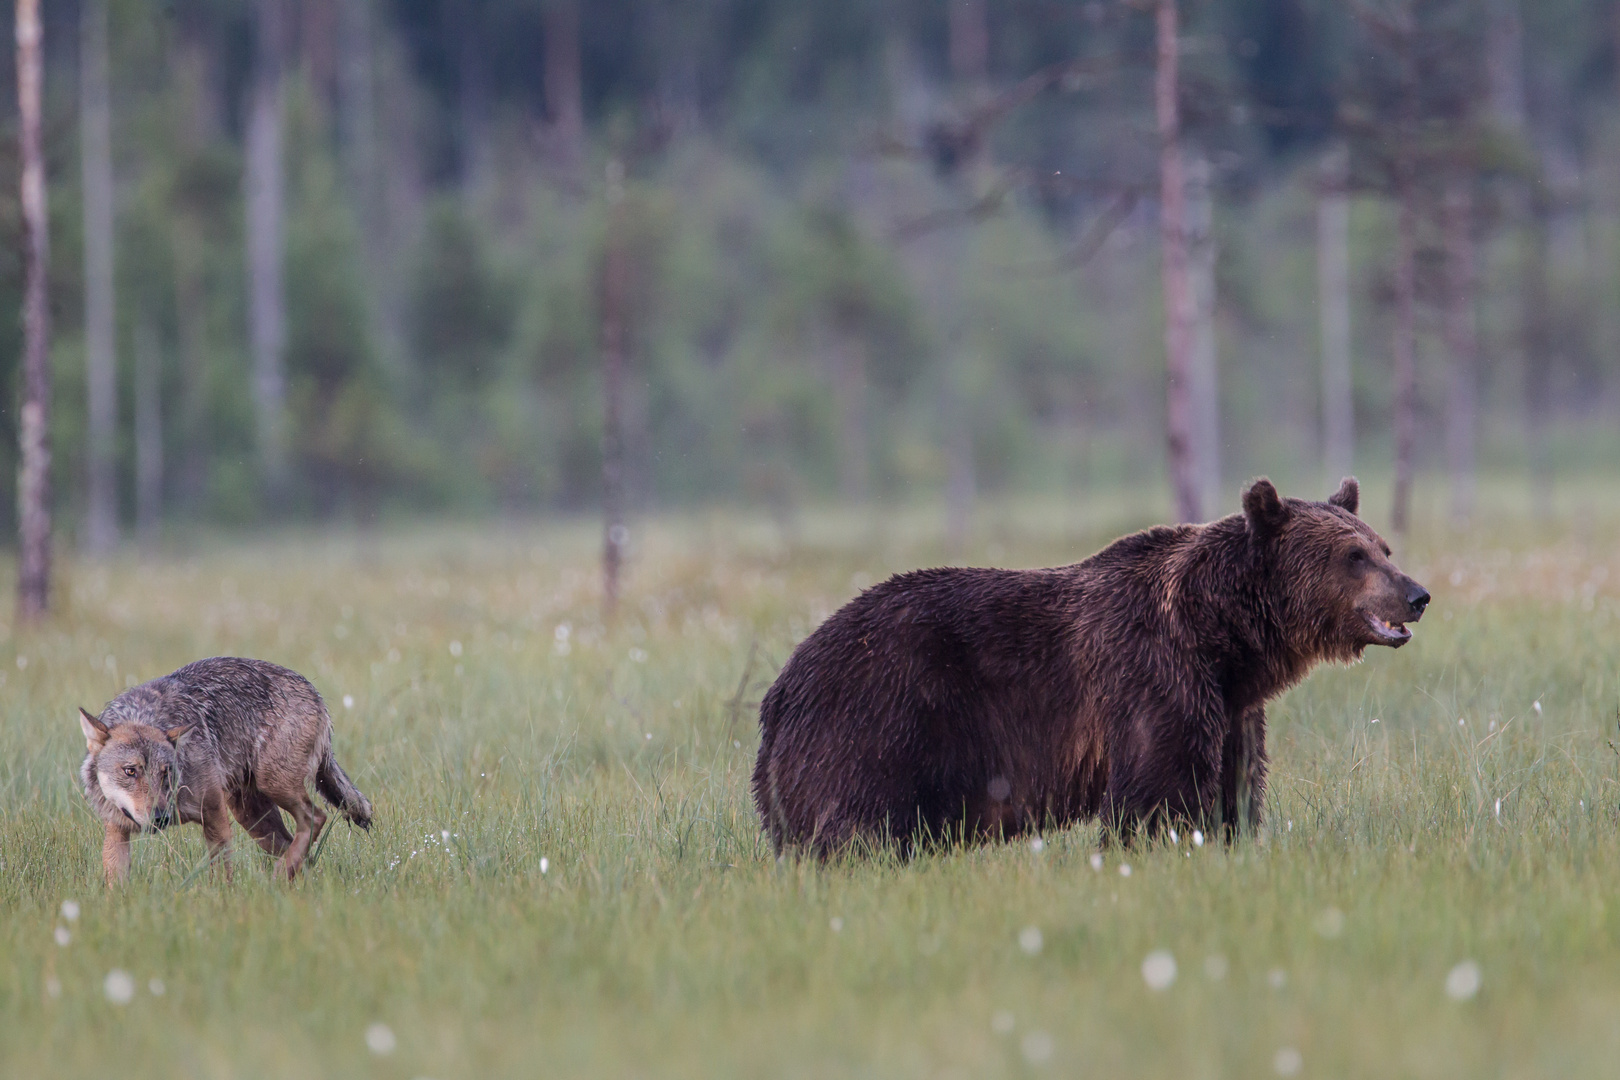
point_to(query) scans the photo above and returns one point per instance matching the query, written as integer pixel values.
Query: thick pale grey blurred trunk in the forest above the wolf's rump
(266, 210)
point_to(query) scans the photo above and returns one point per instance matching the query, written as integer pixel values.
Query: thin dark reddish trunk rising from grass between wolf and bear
(616, 289)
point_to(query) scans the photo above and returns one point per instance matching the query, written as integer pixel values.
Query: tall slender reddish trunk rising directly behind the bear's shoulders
(1174, 273)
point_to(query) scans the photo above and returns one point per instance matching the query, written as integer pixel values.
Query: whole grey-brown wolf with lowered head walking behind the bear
(220, 734)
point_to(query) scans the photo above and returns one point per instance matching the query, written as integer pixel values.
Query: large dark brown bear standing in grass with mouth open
(965, 705)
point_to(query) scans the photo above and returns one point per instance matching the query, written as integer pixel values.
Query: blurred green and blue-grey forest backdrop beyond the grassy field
(373, 258)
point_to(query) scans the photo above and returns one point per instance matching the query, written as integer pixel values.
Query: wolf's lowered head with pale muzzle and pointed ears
(135, 768)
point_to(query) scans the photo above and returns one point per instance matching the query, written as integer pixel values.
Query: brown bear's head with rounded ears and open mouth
(1341, 590)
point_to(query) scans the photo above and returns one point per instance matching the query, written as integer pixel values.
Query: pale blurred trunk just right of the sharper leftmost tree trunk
(101, 525)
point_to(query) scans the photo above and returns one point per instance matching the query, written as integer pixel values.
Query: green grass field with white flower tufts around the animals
(568, 878)
